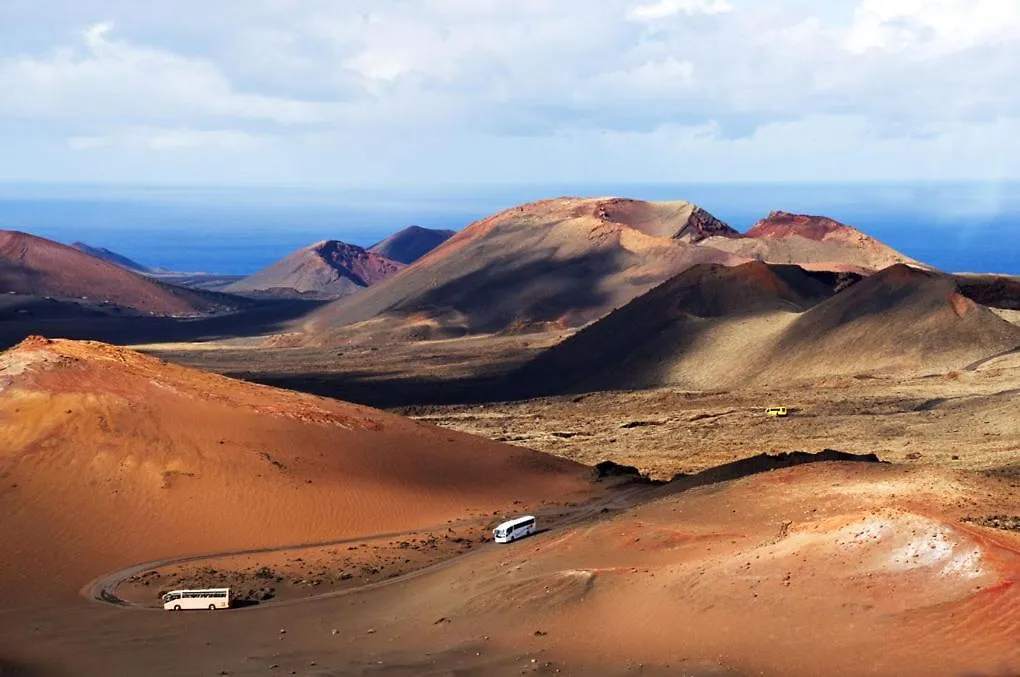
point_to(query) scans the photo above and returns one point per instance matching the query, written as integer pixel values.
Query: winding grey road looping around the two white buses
(105, 589)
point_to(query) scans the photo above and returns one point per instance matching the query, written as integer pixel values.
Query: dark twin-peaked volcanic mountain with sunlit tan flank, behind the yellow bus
(713, 328)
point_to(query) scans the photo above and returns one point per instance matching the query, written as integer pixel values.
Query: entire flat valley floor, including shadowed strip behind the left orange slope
(964, 420)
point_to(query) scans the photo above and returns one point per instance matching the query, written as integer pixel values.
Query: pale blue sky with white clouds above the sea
(424, 92)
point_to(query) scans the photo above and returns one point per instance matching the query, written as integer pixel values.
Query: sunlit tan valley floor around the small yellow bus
(962, 421)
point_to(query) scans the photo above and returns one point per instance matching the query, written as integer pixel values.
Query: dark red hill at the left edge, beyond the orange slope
(36, 267)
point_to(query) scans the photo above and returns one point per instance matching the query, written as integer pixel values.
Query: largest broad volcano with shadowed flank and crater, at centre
(553, 264)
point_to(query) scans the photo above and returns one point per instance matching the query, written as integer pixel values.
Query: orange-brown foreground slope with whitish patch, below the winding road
(824, 569)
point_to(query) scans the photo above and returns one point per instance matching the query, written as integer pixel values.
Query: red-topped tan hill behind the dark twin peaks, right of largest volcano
(812, 242)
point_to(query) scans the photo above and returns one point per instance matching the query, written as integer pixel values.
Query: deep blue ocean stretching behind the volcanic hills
(973, 228)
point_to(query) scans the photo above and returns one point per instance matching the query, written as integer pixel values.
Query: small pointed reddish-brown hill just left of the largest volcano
(330, 269)
